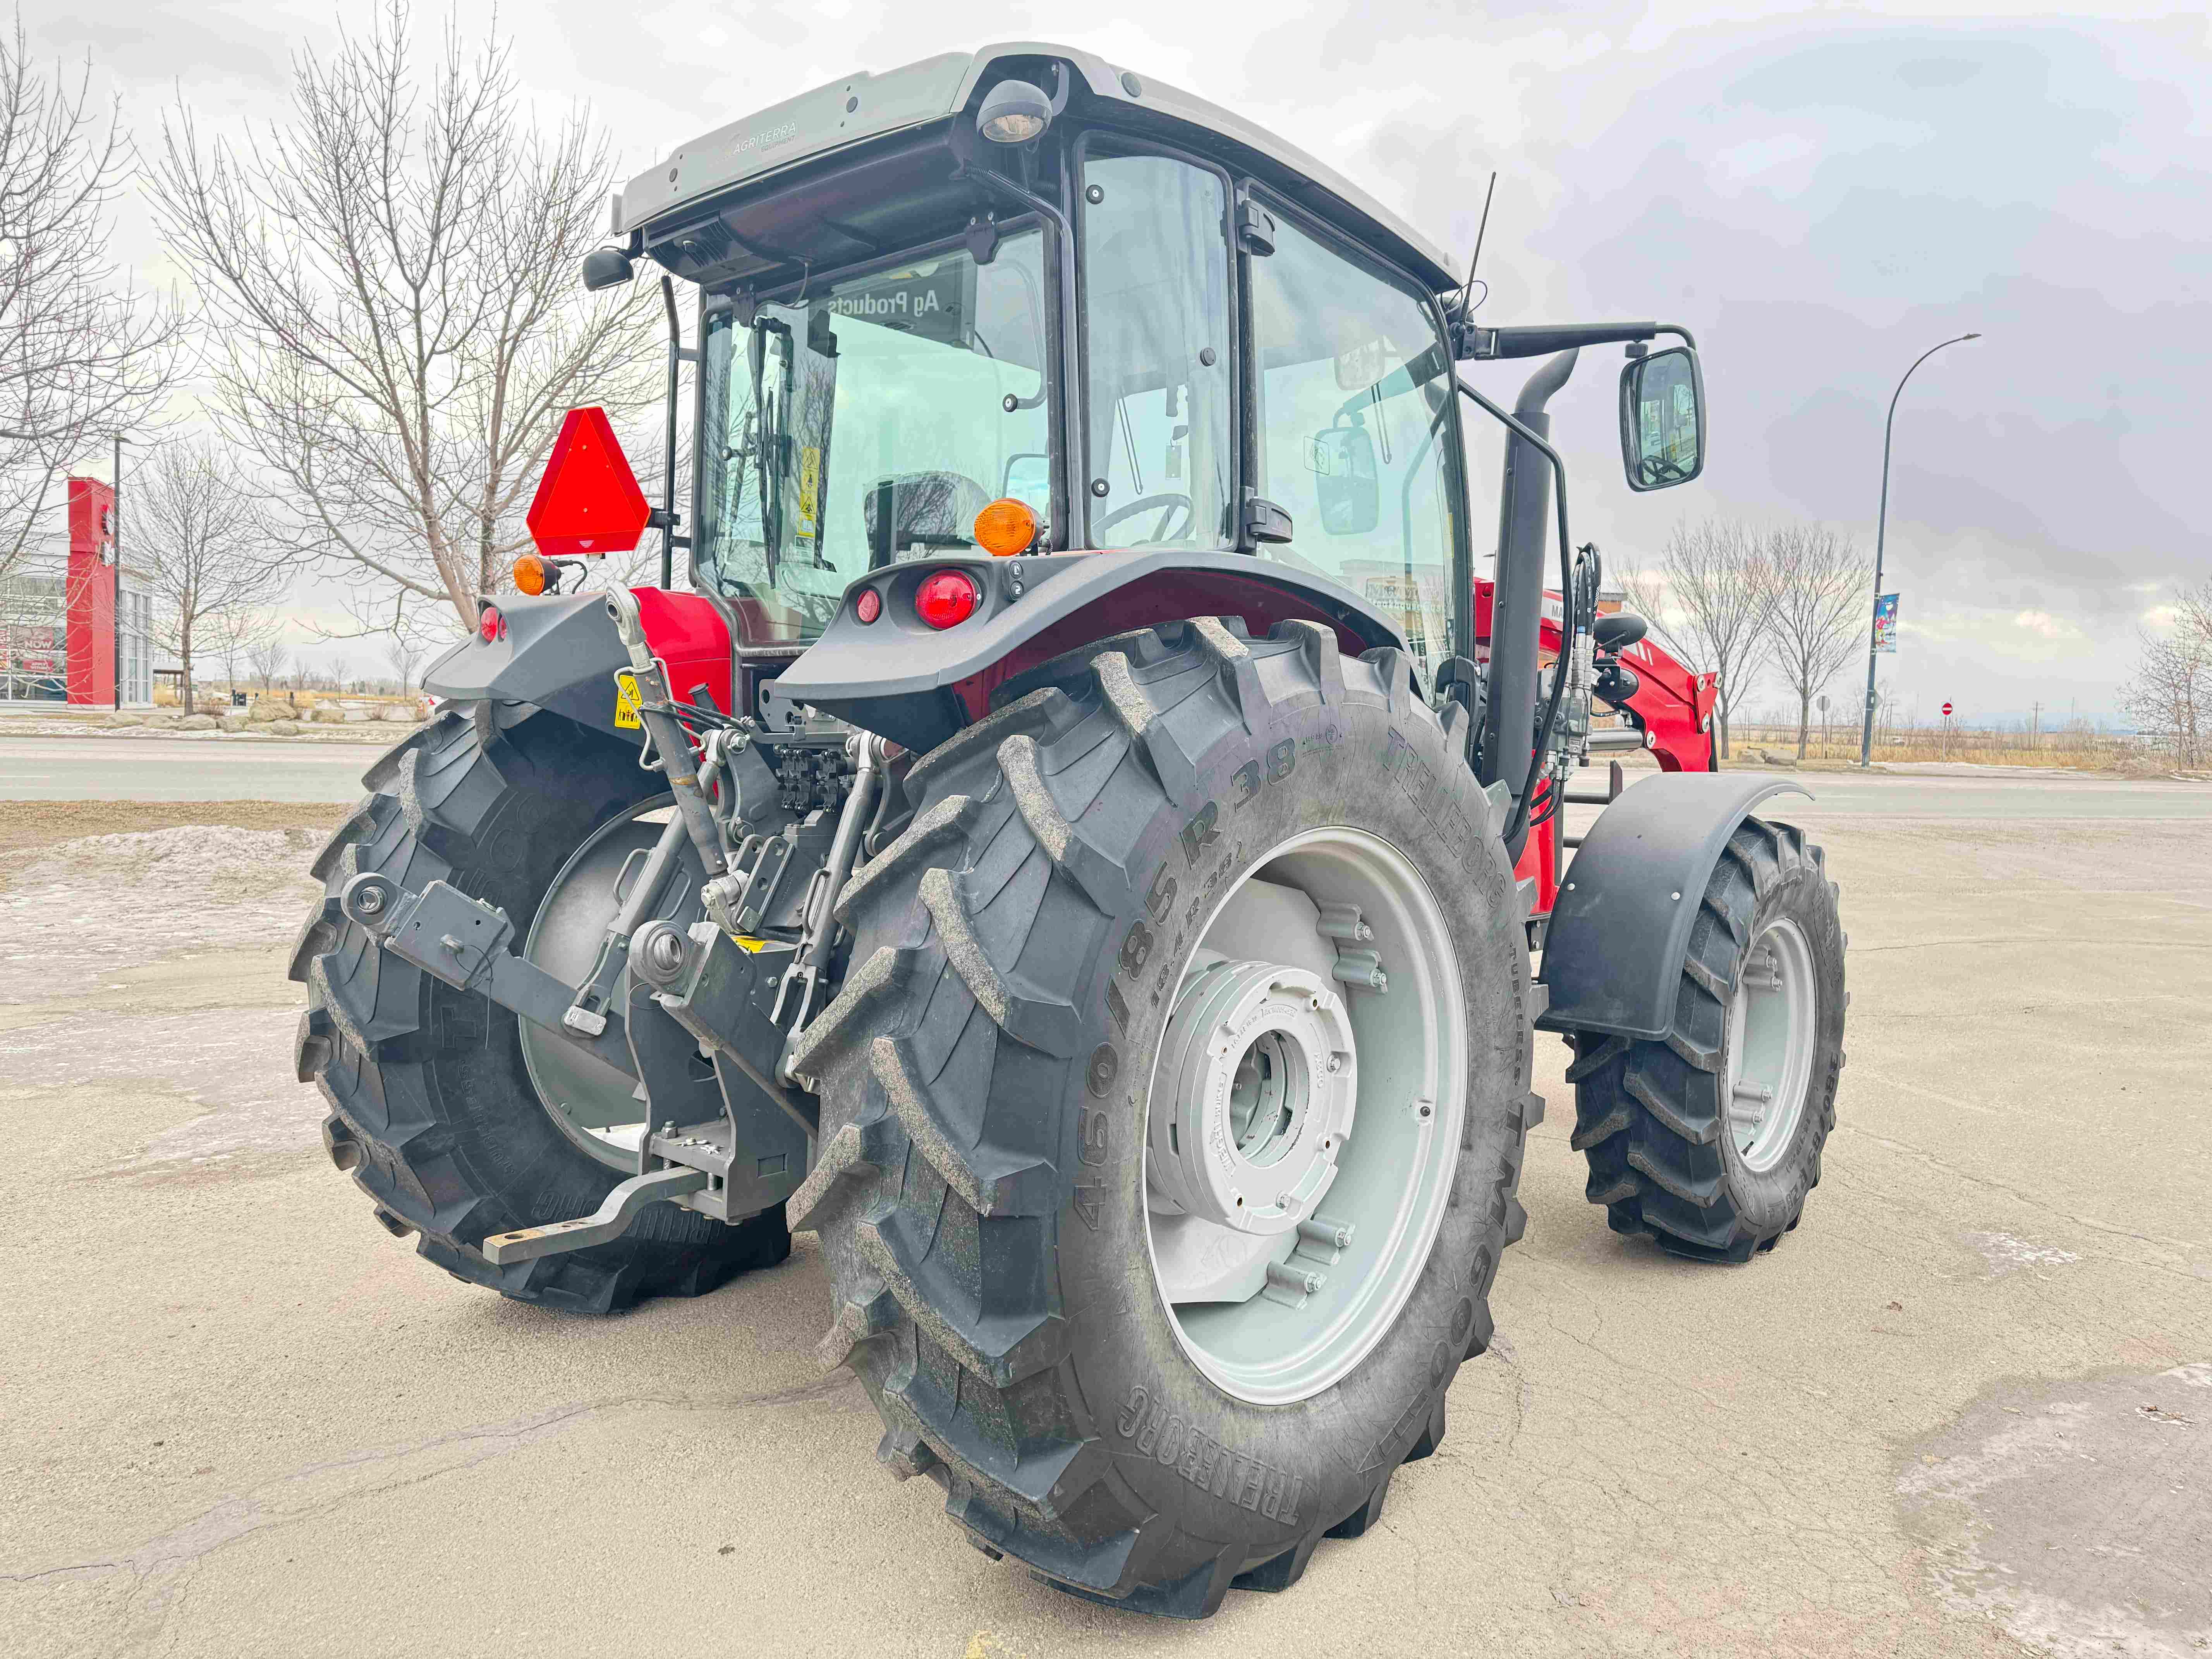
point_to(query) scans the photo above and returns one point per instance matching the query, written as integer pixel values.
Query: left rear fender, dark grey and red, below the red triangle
(563, 654)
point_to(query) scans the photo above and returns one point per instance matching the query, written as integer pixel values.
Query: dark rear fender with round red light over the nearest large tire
(919, 685)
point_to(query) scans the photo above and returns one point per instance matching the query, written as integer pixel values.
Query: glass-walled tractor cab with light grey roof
(1021, 278)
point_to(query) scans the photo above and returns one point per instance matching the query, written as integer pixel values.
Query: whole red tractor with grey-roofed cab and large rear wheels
(1063, 844)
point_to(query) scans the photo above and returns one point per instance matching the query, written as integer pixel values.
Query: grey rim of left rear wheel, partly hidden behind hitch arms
(589, 1100)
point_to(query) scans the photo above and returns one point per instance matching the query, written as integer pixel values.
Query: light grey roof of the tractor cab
(868, 107)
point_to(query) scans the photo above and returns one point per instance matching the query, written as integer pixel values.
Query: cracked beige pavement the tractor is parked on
(1963, 1410)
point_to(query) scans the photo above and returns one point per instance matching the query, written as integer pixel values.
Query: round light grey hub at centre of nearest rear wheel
(1262, 1087)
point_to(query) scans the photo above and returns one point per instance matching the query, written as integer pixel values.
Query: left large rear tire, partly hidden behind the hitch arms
(430, 1096)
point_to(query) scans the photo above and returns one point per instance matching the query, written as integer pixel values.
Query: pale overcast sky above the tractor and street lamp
(1817, 194)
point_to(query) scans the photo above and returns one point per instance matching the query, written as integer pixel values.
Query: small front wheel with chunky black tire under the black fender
(1671, 1147)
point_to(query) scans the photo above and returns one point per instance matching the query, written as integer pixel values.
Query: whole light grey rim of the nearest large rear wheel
(1306, 1116)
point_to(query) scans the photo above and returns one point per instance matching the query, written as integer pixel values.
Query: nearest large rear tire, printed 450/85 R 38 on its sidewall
(990, 1109)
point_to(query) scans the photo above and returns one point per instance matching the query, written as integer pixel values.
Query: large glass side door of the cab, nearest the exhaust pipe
(1355, 432)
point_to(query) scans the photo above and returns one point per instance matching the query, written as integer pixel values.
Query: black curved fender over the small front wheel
(1620, 928)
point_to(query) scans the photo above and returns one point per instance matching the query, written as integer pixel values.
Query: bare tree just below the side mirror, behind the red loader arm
(1709, 603)
